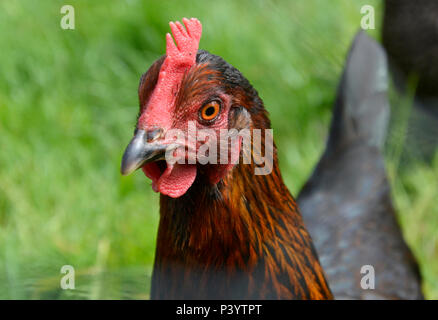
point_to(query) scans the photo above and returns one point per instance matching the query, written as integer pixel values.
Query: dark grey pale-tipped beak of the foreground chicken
(140, 151)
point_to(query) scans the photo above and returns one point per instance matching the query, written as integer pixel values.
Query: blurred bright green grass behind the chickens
(68, 102)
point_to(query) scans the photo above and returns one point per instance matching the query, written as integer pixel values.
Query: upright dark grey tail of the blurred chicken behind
(362, 107)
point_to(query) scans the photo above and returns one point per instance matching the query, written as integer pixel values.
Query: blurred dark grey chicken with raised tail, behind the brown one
(346, 204)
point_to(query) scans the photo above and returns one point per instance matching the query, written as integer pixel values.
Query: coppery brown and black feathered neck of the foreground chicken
(241, 239)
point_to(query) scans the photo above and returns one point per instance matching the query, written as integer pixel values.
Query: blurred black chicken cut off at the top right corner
(409, 35)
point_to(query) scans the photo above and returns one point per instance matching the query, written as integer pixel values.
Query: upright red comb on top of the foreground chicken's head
(179, 58)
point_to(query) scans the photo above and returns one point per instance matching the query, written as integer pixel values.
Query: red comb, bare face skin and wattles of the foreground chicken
(168, 107)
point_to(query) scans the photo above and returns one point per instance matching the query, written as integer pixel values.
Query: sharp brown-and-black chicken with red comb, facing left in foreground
(224, 232)
